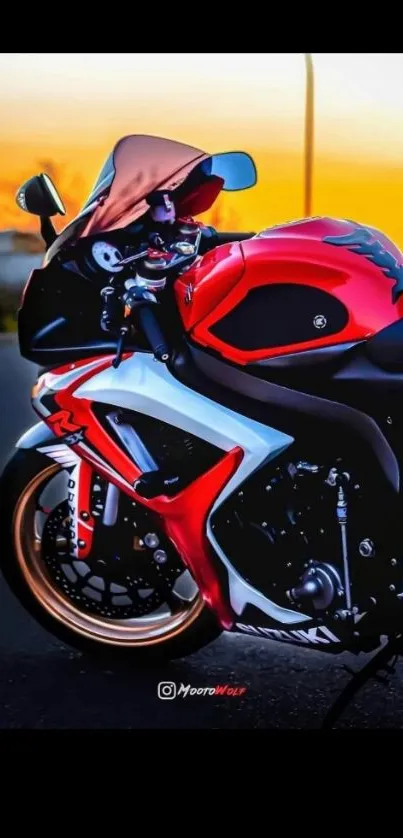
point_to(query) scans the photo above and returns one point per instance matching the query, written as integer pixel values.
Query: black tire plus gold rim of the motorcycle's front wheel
(21, 562)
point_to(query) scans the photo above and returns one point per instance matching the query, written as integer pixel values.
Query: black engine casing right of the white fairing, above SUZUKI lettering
(306, 535)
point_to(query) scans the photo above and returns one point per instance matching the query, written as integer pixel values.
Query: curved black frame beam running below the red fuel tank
(323, 422)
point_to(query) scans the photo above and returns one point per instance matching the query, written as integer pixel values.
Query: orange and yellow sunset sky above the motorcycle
(62, 113)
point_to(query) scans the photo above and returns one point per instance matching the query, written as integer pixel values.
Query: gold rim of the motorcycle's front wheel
(145, 631)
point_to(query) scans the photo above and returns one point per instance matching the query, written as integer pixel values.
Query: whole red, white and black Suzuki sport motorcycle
(231, 460)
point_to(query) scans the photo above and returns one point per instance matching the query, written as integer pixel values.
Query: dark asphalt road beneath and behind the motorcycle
(45, 685)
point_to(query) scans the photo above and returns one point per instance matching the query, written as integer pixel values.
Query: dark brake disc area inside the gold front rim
(122, 577)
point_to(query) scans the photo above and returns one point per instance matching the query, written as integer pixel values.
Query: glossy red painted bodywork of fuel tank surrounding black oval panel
(296, 254)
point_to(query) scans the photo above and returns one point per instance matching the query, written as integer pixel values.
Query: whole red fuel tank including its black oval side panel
(305, 285)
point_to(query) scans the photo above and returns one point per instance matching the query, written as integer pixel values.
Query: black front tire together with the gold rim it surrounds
(26, 468)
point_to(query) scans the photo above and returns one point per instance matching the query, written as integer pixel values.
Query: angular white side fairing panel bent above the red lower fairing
(144, 385)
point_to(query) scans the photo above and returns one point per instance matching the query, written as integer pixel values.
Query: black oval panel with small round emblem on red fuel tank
(280, 315)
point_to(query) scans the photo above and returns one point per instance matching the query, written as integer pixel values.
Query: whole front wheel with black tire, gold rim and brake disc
(119, 601)
